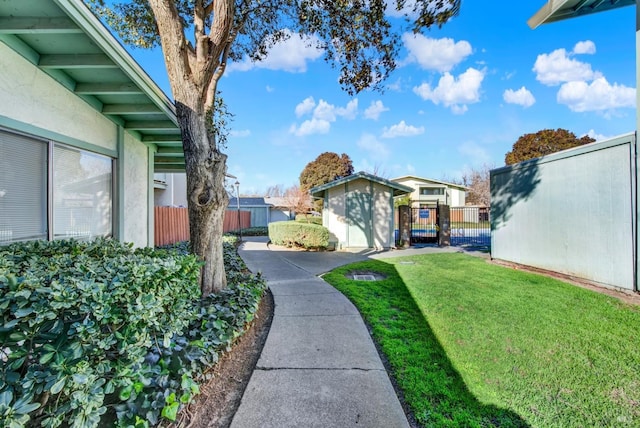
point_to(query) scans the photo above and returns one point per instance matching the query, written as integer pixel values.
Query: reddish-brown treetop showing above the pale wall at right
(545, 142)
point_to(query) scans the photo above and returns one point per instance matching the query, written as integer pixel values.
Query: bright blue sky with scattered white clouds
(460, 98)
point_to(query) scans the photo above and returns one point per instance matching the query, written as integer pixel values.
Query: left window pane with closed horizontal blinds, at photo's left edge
(23, 188)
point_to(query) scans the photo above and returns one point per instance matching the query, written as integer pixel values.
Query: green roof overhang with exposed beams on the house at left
(64, 39)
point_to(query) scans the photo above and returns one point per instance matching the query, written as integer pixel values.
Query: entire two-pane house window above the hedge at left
(52, 191)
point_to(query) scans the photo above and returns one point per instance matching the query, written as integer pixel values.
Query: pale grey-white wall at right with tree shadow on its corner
(571, 212)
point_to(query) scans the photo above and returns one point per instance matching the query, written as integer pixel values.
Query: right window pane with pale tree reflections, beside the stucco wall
(82, 194)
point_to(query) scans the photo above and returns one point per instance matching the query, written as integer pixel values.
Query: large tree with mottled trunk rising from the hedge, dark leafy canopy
(199, 37)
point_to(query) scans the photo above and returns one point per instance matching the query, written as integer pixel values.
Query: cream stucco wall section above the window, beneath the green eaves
(32, 97)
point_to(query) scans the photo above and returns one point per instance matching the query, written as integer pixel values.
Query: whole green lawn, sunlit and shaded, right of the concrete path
(474, 344)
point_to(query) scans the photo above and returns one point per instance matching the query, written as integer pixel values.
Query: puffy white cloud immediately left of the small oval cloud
(454, 92)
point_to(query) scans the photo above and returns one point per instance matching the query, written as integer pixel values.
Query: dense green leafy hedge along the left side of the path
(99, 333)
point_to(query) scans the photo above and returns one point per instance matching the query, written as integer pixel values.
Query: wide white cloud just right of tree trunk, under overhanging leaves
(289, 55)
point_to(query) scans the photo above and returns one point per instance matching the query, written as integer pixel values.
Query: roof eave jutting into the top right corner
(556, 10)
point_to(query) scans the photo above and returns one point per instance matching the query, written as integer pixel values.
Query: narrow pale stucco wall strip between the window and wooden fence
(136, 200)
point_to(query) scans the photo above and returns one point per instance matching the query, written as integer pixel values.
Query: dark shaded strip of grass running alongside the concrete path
(431, 386)
